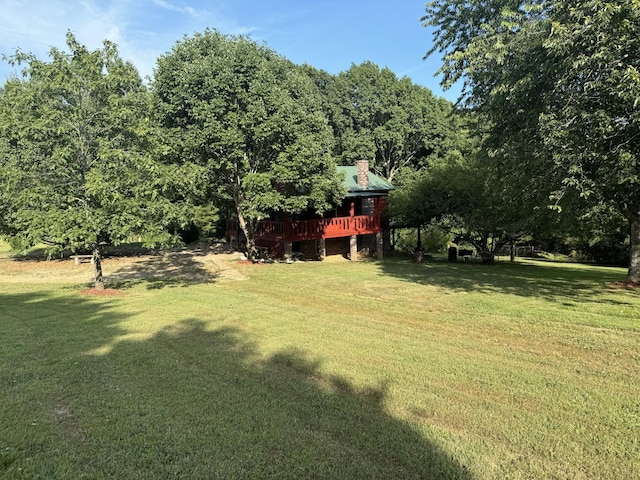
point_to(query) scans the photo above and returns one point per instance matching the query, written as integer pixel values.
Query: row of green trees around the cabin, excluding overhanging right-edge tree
(90, 155)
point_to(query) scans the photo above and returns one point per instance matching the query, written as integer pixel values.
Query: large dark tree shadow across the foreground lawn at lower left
(194, 403)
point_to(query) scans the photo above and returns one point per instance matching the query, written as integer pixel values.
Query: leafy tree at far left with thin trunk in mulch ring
(79, 165)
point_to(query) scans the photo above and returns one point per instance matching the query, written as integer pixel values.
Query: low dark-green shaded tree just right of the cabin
(467, 198)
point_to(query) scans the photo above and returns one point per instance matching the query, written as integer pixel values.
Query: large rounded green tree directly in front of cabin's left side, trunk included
(254, 120)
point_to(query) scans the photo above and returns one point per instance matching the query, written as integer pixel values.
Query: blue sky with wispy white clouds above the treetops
(328, 34)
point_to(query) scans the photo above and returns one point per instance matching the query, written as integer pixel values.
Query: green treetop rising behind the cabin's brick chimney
(391, 121)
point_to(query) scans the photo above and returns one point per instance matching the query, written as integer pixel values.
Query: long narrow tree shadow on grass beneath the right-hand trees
(539, 280)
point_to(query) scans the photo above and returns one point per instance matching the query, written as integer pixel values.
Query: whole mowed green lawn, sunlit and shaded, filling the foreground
(339, 370)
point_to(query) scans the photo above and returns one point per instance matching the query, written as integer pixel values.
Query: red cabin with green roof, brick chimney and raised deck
(356, 225)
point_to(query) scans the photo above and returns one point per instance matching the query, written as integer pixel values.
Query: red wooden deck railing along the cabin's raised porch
(313, 229)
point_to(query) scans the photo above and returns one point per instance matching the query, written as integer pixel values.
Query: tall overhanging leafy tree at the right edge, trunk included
(558, 84)
